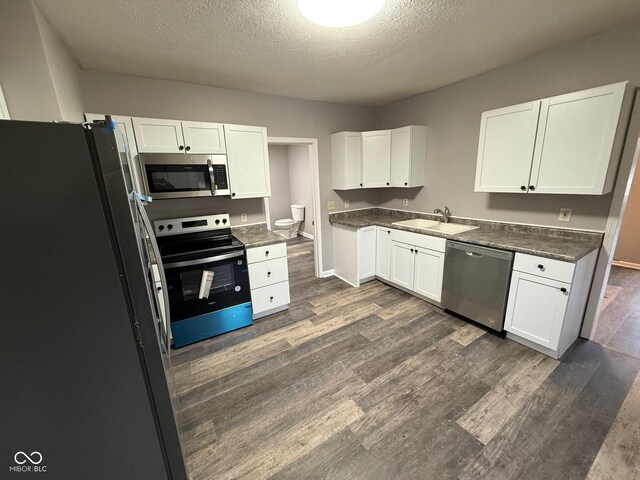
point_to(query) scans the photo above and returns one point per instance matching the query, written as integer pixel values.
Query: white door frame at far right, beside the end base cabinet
(622, 187)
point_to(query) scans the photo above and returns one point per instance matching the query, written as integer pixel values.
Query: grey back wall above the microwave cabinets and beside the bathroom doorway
(283, 117)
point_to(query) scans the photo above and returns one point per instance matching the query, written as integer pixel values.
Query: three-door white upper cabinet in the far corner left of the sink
(379, 159)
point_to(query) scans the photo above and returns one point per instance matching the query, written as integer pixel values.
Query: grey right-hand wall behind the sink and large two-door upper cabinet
(452, 115)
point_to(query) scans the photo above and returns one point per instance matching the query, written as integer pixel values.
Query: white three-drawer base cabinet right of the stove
(269, 279)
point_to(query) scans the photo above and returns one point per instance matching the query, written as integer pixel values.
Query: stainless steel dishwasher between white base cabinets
(476, 282)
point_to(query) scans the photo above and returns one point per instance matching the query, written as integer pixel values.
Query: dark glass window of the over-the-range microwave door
(177, 178)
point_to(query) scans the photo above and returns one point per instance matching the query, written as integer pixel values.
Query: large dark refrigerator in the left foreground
(84, 367)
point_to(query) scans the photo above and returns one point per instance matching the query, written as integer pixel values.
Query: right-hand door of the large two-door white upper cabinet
(575, 140)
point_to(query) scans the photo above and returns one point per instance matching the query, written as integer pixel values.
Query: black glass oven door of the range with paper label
(229, 287)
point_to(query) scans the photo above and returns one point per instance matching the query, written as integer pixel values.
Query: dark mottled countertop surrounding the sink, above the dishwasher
(559, 244)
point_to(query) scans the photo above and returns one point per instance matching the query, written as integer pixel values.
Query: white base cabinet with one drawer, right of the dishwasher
(547, 301)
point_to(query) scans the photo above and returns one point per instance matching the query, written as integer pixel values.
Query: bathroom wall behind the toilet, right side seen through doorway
(301, 184)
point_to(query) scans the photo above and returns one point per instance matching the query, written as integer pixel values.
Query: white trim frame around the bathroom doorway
(315, 184)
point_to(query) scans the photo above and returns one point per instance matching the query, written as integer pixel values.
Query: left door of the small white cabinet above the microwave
(154, 135)
